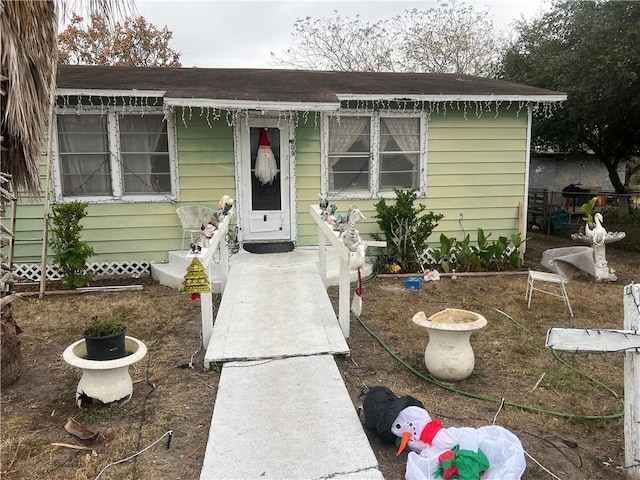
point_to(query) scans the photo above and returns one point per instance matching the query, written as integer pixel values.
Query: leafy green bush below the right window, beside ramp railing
(406, 229)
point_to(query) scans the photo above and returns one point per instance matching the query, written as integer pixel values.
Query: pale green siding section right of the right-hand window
(476, 170)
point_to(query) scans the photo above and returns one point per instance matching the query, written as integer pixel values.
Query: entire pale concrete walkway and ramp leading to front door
(282, 410)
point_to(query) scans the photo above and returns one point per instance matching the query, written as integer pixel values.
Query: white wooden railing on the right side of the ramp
(326, 231)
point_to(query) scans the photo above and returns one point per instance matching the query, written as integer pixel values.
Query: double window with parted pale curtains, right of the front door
(374, 154)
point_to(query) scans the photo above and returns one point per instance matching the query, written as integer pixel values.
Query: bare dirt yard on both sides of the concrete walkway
(173, 392)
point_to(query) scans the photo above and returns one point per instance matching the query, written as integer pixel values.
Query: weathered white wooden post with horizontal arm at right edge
(606, 341)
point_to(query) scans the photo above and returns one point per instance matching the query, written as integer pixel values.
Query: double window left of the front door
(114, 156)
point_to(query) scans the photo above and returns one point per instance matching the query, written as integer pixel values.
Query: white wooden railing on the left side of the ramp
(217, 243)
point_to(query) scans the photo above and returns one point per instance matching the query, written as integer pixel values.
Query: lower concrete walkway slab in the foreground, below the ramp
(286, 419)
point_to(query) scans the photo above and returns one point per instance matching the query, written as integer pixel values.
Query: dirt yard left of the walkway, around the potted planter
(171, 391)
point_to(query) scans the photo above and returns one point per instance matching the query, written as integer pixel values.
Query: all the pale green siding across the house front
(475, 177)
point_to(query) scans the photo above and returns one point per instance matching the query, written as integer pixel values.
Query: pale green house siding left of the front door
(145, 231)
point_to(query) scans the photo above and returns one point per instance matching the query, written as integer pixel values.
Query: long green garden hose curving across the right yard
(500, 400)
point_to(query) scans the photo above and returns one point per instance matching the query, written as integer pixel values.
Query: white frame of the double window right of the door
(374, 162)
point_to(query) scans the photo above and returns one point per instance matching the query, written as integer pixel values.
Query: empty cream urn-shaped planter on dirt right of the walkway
(448, 355)
